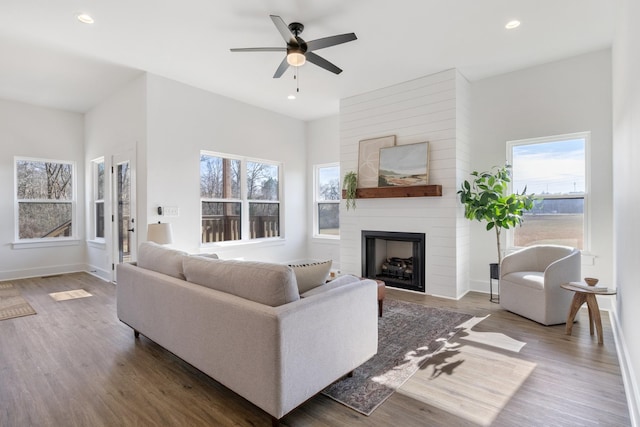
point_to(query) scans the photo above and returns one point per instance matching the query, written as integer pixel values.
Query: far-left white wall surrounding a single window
(27, 130)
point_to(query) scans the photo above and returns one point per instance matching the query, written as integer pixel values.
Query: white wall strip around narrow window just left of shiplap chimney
(323, 146)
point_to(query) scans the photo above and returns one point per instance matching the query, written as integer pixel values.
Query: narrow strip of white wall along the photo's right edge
(626, 176)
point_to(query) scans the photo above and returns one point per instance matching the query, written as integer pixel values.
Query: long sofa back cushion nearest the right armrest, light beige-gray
(266, 283)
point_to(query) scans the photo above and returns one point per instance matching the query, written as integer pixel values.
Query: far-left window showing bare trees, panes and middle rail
(45, 199)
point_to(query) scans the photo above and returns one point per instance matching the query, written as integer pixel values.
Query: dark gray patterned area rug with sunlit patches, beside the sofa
(408, 335)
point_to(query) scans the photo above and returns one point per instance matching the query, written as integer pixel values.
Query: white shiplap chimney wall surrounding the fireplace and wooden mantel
(434, 108)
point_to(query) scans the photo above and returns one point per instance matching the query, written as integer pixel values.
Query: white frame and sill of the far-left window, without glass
(45, 241)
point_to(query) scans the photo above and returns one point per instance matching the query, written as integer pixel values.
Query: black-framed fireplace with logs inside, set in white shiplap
(397, 258)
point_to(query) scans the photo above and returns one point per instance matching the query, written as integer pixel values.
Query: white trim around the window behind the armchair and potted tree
(586, 230)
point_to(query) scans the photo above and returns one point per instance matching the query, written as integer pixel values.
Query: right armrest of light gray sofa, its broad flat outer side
(326, 336)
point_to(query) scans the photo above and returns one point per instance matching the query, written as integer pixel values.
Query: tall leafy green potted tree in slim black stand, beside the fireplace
(485, 198)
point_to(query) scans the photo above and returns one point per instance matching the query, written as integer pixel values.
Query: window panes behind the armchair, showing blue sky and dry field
(553, 168)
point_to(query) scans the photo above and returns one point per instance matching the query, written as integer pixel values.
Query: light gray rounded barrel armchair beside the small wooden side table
(530, 282)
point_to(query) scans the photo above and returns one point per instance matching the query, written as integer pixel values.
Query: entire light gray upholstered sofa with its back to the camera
(246, 325)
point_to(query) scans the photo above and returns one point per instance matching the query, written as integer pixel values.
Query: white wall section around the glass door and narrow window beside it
(113, 127)
